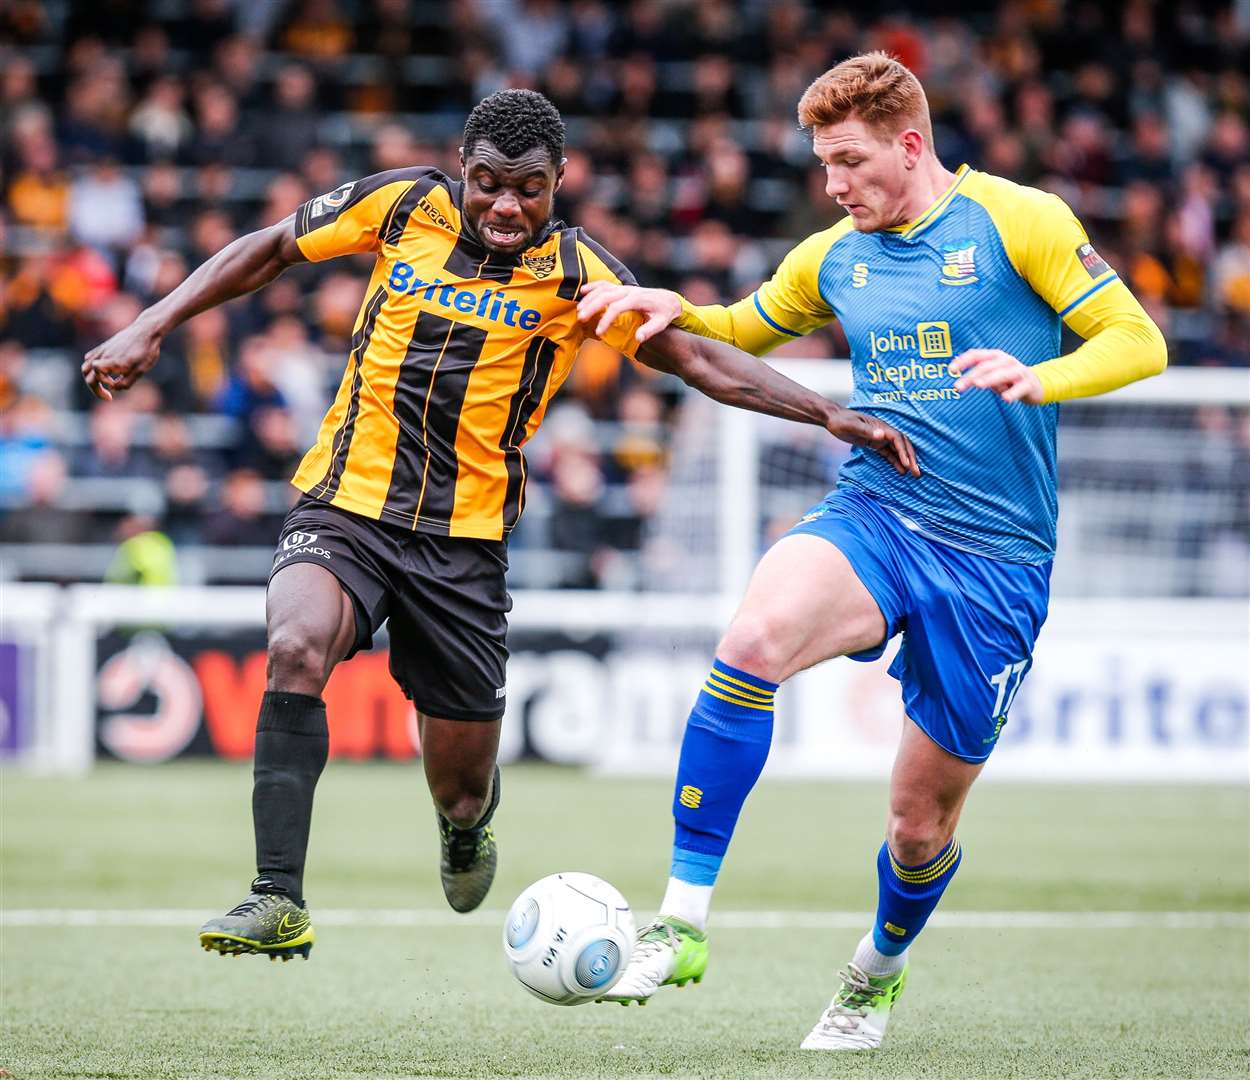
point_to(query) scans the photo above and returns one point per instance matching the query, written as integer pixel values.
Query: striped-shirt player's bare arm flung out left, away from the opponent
(242, 267)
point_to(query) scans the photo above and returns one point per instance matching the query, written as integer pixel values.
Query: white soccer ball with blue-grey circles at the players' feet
(568, 938)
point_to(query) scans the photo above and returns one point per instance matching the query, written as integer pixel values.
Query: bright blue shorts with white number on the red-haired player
(968, 623)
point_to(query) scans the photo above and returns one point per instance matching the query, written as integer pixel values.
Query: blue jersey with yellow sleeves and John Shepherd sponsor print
(989, 266)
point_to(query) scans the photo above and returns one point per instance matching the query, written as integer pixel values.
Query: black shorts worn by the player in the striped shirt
(446, 598)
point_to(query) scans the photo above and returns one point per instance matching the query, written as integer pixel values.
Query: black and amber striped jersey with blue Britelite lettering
(456, 356)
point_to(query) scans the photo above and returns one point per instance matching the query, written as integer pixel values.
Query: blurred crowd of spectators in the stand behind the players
(137, 139)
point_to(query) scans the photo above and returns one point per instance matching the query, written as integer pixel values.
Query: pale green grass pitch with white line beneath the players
(437, 1002)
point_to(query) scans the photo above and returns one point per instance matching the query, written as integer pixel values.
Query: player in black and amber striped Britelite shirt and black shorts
(468, 328)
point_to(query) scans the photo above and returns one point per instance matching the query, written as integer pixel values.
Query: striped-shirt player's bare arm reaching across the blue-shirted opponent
(736, 378)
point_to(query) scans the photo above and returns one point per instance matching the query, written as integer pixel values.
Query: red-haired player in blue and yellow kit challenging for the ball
(953, 289)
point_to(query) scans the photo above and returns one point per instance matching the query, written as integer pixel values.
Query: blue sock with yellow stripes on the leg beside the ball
(723, 754)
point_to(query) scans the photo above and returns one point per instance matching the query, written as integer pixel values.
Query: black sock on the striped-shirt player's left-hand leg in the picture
(293, 743)
